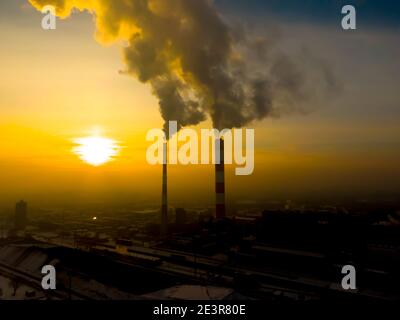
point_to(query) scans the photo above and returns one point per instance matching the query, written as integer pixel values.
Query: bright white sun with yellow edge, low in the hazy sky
(96, 150)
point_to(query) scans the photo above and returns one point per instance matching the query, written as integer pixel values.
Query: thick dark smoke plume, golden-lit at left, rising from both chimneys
(197, 64)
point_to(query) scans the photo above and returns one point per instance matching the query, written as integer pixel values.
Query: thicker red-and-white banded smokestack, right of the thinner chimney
(220, 179)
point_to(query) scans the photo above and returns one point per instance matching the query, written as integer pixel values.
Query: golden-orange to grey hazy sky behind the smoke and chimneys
(57, 86)
